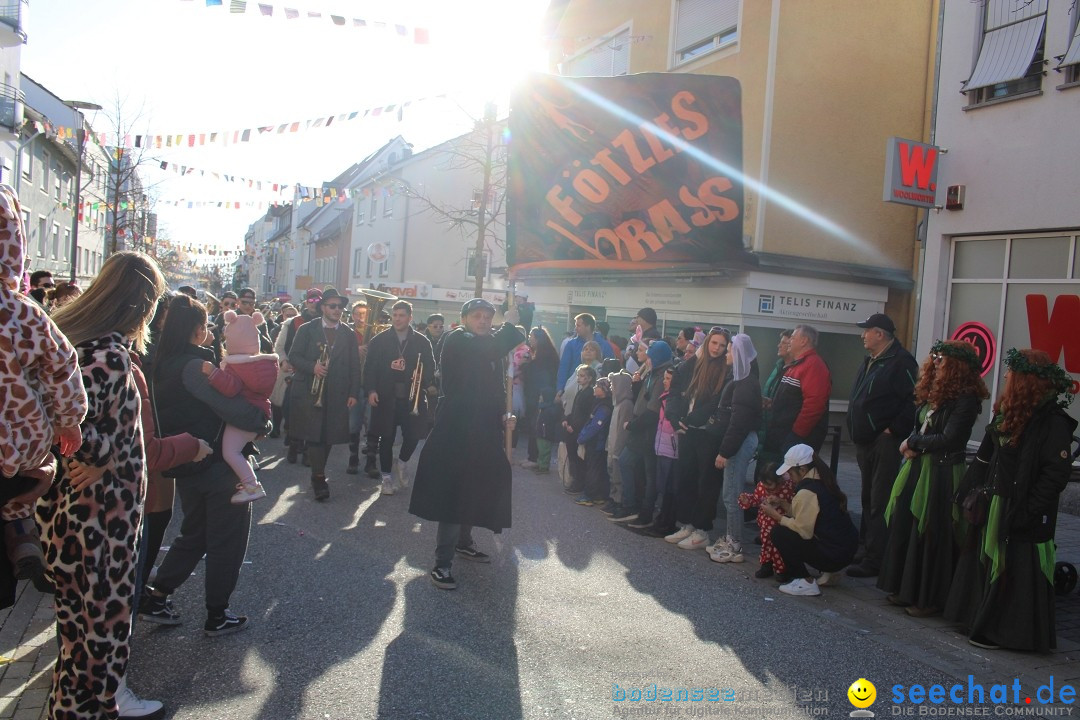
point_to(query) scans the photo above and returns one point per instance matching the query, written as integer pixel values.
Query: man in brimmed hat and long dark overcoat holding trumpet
(325, 349)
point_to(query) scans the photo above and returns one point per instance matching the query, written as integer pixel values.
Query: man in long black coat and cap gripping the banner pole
(464, 478)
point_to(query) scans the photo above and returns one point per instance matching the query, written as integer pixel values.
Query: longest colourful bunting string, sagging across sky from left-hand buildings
(225, 139)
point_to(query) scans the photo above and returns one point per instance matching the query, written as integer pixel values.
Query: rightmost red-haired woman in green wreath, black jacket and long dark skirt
(1003, 591)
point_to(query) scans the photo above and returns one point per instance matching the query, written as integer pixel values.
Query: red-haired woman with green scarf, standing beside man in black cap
(921, 554)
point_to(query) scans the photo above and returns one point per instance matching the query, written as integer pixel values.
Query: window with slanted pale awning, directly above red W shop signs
(1011, 58)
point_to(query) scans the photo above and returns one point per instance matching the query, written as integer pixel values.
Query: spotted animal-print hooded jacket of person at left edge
(40, 370)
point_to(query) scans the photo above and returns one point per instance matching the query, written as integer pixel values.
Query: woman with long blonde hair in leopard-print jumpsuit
(91, 526)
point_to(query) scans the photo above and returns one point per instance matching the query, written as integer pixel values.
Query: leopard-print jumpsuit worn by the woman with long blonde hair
(90, 539)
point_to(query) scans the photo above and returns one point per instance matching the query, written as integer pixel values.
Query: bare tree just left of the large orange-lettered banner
(483, 154)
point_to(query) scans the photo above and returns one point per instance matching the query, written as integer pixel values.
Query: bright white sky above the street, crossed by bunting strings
(178, 66)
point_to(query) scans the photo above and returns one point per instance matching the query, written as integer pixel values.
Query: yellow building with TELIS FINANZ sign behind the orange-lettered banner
(825, 86)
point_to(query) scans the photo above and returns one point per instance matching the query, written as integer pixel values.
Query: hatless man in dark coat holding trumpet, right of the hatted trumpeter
(389, 372)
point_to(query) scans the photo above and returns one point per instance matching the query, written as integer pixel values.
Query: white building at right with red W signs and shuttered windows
(1003, 257)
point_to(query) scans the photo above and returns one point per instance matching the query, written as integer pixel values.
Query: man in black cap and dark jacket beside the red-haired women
(881, 417)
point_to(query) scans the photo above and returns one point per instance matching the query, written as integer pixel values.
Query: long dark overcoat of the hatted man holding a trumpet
(306, 423)
